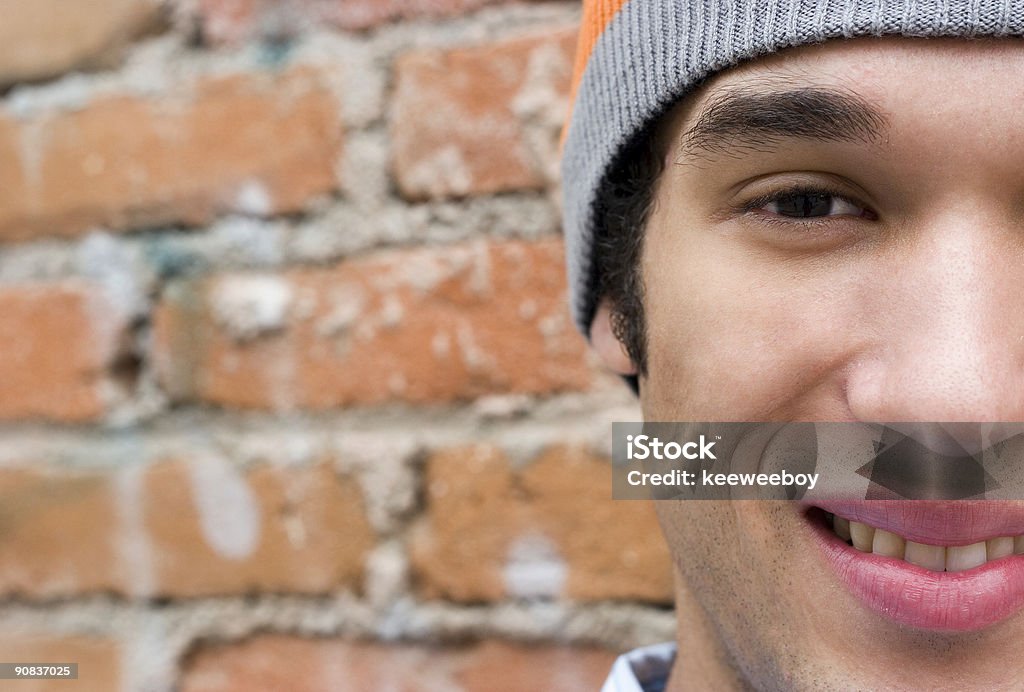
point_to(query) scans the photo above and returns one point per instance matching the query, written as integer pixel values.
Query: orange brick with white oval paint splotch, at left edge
(182, 533)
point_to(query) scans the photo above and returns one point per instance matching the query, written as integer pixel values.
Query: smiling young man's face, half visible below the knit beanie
(840, 236)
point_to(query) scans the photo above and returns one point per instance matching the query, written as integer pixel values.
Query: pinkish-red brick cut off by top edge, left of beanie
(236, 21)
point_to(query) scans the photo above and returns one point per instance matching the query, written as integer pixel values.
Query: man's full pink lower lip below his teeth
(945, 601)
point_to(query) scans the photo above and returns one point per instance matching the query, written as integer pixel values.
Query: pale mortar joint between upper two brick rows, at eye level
(338, 232)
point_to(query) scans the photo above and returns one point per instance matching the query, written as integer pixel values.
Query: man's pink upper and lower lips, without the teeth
(917, 597)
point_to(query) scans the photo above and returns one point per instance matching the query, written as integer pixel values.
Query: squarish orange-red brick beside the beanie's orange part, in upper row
(461, 117)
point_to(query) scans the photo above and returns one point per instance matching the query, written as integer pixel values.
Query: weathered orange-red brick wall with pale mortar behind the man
(291, 398)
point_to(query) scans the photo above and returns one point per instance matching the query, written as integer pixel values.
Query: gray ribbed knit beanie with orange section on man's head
(637, 58)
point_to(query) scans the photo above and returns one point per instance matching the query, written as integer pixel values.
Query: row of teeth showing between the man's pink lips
(867, 539)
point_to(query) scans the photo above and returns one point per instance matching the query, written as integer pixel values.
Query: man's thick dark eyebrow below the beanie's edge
(757, 120)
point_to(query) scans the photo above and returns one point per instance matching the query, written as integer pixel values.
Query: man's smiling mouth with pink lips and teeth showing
(953, 567)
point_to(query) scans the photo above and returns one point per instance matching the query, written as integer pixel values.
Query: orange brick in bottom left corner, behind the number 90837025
(99, 662)
